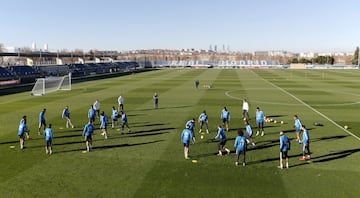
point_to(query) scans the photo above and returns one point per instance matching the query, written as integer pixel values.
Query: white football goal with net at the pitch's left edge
(51, 84)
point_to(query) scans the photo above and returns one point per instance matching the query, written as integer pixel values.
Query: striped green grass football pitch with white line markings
(149, 161)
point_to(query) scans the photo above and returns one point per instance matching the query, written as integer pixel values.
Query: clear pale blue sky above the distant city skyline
(244, 25)
